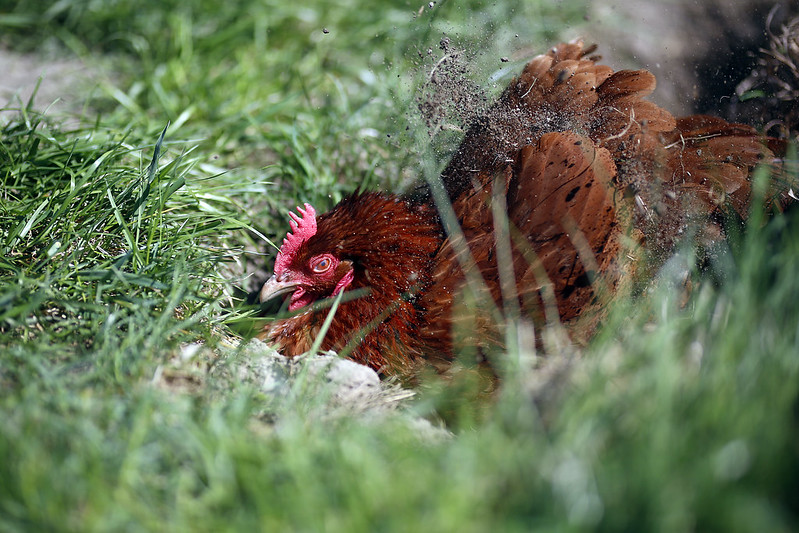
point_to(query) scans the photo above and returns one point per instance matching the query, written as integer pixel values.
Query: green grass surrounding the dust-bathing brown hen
(120, 246)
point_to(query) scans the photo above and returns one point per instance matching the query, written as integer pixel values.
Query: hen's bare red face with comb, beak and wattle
(308, 273)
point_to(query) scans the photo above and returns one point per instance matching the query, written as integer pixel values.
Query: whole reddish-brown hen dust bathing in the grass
(571, 170)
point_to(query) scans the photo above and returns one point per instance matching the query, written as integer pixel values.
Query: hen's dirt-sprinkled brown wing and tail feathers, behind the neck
(589, 160)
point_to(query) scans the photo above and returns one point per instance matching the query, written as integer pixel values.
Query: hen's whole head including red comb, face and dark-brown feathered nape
(370, 241)
